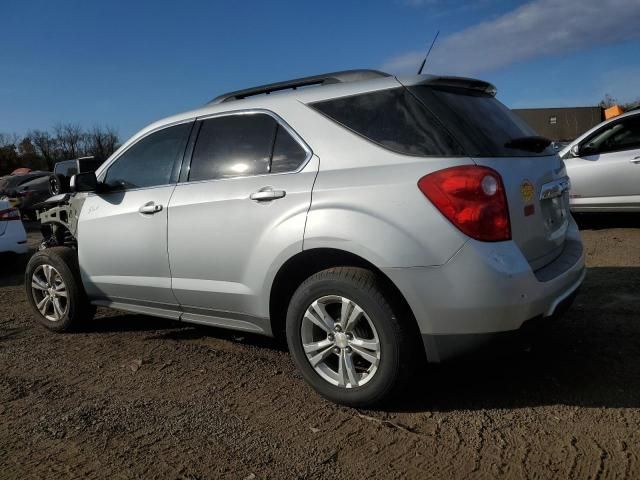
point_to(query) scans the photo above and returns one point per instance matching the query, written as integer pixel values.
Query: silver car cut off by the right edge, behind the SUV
(604, 166)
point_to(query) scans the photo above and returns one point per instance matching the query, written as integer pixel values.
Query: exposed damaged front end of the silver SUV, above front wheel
(58, 216)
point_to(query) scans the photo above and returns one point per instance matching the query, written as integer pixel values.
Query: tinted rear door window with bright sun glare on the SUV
(233, 146)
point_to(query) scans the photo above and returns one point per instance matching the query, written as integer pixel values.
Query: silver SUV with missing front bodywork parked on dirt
(368, 218)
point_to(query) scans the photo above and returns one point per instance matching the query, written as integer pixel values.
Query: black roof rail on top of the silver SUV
(324, 79)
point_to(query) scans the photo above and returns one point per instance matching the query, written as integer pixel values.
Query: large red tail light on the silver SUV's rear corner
(472, 198)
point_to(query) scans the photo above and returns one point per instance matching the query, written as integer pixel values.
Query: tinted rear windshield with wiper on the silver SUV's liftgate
(482, 124)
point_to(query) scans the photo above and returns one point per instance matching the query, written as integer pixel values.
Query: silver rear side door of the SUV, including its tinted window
(241, 206)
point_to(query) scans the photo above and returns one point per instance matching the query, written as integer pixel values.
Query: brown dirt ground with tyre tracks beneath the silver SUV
(139, 397)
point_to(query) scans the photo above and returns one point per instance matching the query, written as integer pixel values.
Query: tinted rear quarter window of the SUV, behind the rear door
(394, 119)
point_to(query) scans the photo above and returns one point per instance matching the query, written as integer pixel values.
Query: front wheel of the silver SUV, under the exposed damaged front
(54, 289)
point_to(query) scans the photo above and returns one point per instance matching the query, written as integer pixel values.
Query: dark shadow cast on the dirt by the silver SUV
(589, 358)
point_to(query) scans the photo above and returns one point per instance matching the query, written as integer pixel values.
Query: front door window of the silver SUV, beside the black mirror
(151, 161)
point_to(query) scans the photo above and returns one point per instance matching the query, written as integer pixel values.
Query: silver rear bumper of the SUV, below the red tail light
(484, 290)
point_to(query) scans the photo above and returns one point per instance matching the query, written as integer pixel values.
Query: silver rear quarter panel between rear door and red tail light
(366, 200)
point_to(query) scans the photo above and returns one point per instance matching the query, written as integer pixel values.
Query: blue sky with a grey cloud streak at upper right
(127, 63)
